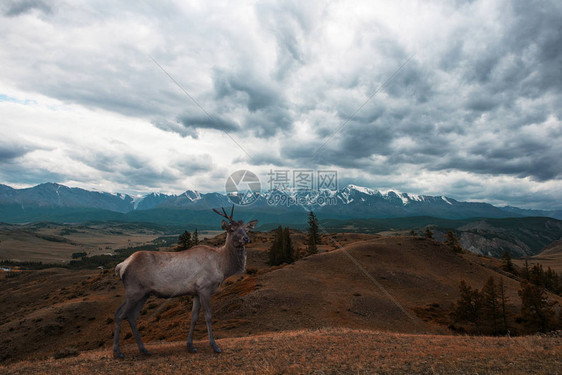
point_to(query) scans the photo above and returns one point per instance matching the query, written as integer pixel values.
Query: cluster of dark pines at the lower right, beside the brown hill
(488, 311)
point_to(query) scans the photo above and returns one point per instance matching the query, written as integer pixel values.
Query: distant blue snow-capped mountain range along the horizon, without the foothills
(50, 200)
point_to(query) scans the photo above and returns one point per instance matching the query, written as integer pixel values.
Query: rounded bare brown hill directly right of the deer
(384, 283)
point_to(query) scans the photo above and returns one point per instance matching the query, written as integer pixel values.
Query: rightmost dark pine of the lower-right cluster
(536, 310)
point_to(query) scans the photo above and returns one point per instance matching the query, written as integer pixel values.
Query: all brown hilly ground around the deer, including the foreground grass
(366, 303)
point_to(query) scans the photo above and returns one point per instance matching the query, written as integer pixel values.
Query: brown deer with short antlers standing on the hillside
(197, 272)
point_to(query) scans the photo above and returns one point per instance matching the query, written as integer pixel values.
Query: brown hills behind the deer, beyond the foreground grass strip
(374, 283)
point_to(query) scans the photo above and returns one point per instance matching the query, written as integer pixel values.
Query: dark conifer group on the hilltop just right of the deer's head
(282, 250)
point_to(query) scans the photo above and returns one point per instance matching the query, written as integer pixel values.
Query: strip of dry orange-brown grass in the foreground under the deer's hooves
(323, 351)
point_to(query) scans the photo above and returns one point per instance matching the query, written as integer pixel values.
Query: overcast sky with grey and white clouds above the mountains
(462, 99)
